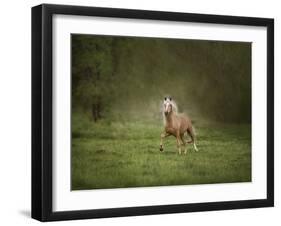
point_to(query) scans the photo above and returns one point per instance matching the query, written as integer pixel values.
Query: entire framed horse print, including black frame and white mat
(140, 112)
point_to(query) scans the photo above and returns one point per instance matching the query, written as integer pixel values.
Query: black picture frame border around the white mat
(42, 111)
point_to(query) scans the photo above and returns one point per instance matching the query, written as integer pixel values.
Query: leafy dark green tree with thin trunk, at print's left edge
(92, 72)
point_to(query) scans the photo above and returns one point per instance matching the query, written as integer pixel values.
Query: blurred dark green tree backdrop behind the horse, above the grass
(126, 78)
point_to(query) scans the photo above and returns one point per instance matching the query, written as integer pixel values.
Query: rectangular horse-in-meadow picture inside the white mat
(159, 112)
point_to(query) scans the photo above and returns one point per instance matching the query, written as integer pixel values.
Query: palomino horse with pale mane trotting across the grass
(176, 125)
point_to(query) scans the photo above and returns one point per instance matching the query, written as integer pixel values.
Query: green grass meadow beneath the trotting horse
(118, 155)
